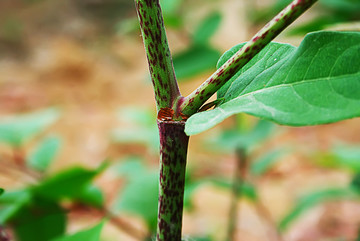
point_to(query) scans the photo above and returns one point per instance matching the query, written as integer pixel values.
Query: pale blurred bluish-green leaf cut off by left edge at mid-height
(16, 130)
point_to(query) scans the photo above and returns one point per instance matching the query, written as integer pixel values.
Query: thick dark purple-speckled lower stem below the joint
(173, 150)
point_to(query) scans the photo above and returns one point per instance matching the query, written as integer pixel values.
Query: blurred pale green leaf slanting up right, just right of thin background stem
(265, 162)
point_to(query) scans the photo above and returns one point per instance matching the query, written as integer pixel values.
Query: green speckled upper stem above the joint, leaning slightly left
(157, 52)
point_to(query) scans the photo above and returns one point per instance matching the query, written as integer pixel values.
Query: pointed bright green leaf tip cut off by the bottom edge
(92, 234)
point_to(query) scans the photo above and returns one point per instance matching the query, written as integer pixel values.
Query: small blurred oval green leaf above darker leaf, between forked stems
(207, 28)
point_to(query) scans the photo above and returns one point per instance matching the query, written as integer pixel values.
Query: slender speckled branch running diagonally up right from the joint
(196, 99)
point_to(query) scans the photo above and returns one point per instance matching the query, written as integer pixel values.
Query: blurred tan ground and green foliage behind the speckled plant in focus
(79, 142)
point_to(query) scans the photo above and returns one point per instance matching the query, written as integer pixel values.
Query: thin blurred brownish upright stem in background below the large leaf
(238, 181)
